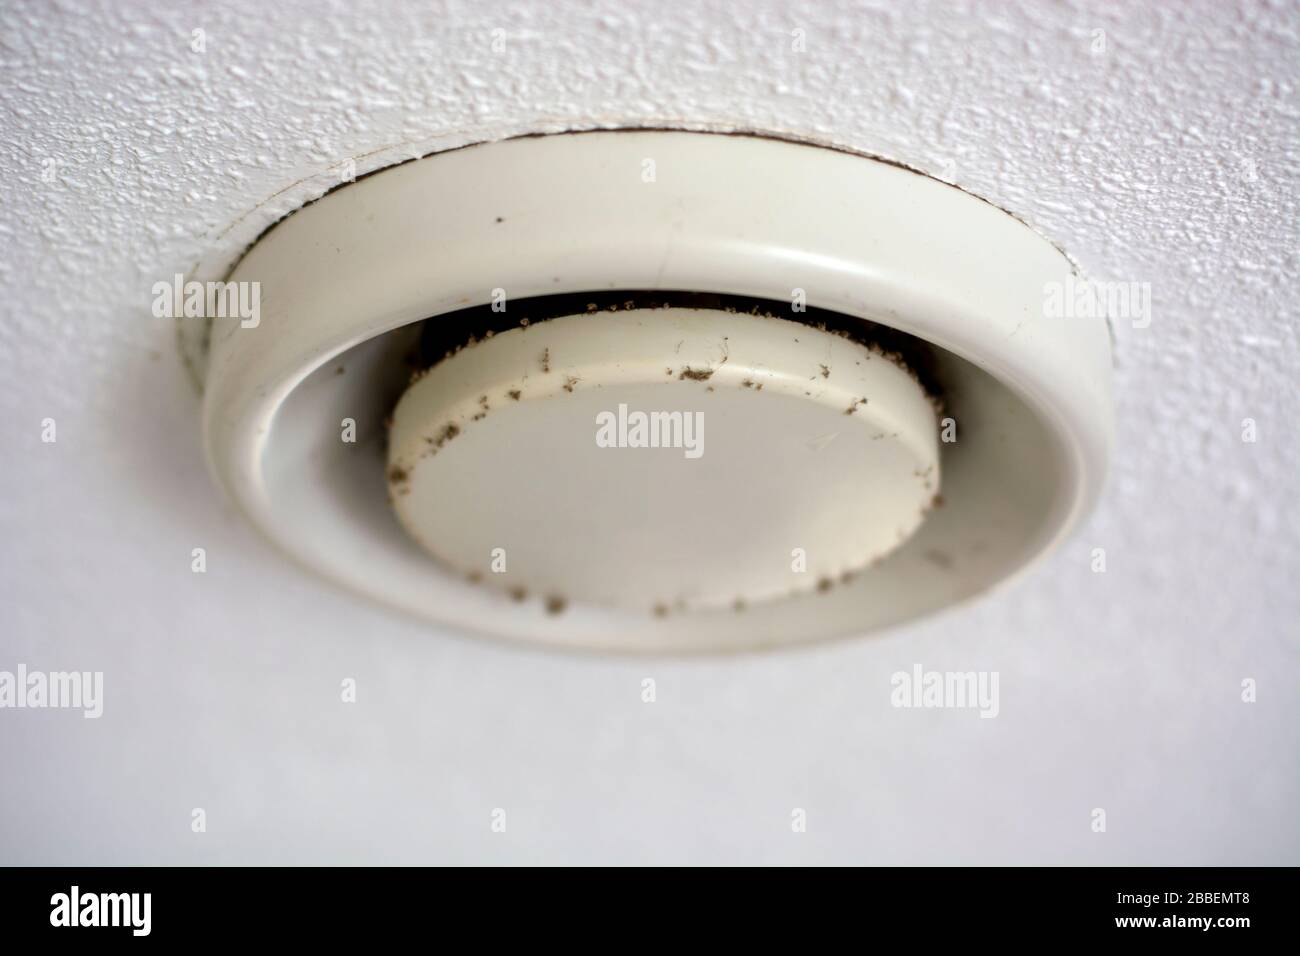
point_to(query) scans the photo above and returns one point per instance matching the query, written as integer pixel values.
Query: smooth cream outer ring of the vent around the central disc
(651, 210)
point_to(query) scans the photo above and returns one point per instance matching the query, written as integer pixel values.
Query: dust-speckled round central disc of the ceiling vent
(664, 460)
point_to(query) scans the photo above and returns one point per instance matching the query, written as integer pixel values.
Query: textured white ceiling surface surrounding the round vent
(1171, 158)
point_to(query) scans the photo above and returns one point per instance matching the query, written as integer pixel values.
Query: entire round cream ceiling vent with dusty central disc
(658, 392)
